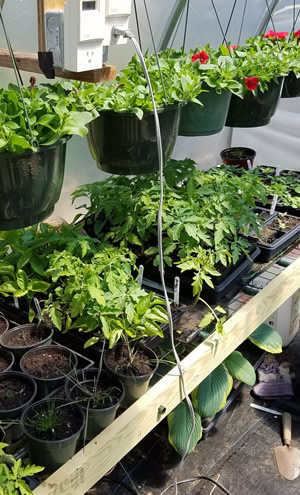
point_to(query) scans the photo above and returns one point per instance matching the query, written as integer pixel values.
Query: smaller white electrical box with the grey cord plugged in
(117, 15)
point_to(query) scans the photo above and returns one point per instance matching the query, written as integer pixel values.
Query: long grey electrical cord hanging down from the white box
(129, 35)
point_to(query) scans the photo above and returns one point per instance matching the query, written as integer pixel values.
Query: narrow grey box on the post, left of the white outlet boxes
(54, 33)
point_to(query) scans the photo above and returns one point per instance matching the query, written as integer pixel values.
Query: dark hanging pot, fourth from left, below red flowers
(254, 111)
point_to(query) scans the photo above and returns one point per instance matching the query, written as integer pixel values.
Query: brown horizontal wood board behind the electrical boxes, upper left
(29, 62)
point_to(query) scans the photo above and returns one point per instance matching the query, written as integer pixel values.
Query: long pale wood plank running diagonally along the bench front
(89, 465)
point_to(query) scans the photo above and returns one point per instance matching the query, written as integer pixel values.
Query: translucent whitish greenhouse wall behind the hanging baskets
(277, 142)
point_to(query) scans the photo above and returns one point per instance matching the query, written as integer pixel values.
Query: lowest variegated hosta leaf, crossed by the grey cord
(180, 426)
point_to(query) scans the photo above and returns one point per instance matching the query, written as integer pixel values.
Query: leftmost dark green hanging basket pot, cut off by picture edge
(30, 185)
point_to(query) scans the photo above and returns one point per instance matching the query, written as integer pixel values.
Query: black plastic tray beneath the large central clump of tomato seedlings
(226, 288)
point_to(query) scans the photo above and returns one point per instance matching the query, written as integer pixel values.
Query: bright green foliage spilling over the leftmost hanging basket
(52, 112)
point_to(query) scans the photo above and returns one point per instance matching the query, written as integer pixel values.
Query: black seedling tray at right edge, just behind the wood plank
(282, 241)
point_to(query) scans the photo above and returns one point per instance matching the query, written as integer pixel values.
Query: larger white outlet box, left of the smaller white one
(84, 33)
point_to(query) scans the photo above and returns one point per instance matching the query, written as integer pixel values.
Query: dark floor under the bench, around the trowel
(239, 454)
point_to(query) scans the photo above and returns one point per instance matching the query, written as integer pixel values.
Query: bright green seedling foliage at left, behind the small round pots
(83, 284)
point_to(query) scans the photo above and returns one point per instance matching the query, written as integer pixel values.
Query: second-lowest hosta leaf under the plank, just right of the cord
(211, 395)
